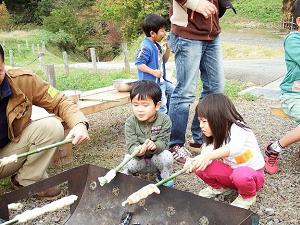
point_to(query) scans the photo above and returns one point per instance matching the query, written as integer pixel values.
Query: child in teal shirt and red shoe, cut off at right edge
(290, 94)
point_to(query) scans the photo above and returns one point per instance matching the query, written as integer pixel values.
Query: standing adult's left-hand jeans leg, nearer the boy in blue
(187, 60)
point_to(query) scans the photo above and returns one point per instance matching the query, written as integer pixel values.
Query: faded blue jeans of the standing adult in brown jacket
(192, 57)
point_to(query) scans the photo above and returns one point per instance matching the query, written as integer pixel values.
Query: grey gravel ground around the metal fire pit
(278, 202)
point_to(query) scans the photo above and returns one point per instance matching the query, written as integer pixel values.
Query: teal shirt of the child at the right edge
(292, 59)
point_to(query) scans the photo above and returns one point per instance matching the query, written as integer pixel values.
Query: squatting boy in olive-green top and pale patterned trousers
(148, 130)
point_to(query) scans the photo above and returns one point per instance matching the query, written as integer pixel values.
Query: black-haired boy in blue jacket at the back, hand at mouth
(151, 57)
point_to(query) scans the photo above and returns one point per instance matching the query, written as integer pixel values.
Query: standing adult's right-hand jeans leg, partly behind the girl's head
(212, 76)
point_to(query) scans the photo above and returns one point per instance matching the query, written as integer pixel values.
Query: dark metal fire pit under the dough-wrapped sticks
(102, 205)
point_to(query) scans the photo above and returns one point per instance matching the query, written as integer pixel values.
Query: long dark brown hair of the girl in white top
(220, 114)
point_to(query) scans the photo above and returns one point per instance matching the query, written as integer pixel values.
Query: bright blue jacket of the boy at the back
(148, 54)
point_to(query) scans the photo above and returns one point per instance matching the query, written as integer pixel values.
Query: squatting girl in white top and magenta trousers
(230, 158)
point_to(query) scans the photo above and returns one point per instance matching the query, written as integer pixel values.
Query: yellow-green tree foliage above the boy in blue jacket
(129, 14)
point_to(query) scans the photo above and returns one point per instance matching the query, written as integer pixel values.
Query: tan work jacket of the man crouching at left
(28, 89)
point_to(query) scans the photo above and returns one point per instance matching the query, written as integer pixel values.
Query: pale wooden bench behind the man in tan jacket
(90, 102)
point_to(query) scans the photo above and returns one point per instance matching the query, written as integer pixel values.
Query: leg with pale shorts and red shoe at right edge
(291, 105)
